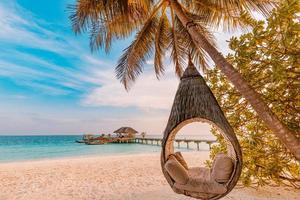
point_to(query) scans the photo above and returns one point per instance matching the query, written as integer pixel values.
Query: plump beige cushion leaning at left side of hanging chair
(177, 172)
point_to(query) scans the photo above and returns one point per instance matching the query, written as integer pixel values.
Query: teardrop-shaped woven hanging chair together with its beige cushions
(194, 102)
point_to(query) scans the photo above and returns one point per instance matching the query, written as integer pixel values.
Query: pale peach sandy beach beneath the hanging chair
(121, 177)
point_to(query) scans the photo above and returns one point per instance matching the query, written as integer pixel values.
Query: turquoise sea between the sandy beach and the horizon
(23, 148)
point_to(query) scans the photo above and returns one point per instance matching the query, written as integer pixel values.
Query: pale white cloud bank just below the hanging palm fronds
(146, 93)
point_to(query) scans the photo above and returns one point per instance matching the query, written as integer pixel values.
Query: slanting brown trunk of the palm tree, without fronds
(264, 112)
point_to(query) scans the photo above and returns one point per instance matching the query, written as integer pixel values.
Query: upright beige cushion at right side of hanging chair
(222, 168)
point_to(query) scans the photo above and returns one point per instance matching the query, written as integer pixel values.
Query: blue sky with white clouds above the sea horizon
(51, 83)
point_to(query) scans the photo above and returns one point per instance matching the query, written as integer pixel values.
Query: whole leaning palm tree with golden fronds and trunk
(181, 27)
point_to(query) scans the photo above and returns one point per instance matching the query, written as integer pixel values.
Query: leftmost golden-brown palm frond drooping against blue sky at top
(108, 19)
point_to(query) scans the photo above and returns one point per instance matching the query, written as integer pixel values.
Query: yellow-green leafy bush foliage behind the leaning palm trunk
(269, 60)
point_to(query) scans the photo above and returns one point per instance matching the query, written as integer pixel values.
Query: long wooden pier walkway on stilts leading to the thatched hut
(158, 142)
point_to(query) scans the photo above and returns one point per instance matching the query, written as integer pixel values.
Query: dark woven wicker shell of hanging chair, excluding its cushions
(195, 102)
